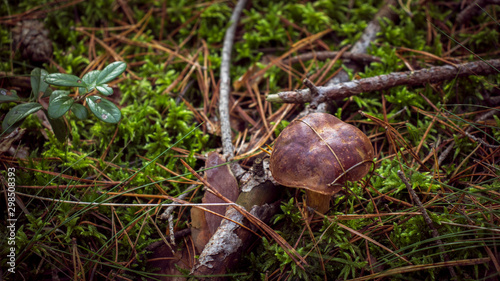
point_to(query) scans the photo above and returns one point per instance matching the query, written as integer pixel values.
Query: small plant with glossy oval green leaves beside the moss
(61, 101)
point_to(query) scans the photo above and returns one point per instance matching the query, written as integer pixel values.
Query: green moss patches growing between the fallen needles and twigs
(153, 120)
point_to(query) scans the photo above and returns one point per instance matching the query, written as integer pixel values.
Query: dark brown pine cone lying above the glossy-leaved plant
(30, 37)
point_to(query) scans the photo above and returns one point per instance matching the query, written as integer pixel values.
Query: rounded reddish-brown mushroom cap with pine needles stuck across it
(307, 154)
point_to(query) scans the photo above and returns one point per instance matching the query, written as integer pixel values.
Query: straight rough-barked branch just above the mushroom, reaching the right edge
(383, 82)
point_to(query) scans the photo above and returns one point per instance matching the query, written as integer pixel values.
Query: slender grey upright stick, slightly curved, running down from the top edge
(225, 88)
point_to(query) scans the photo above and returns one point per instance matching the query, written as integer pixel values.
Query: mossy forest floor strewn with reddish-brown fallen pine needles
(163, 99)
